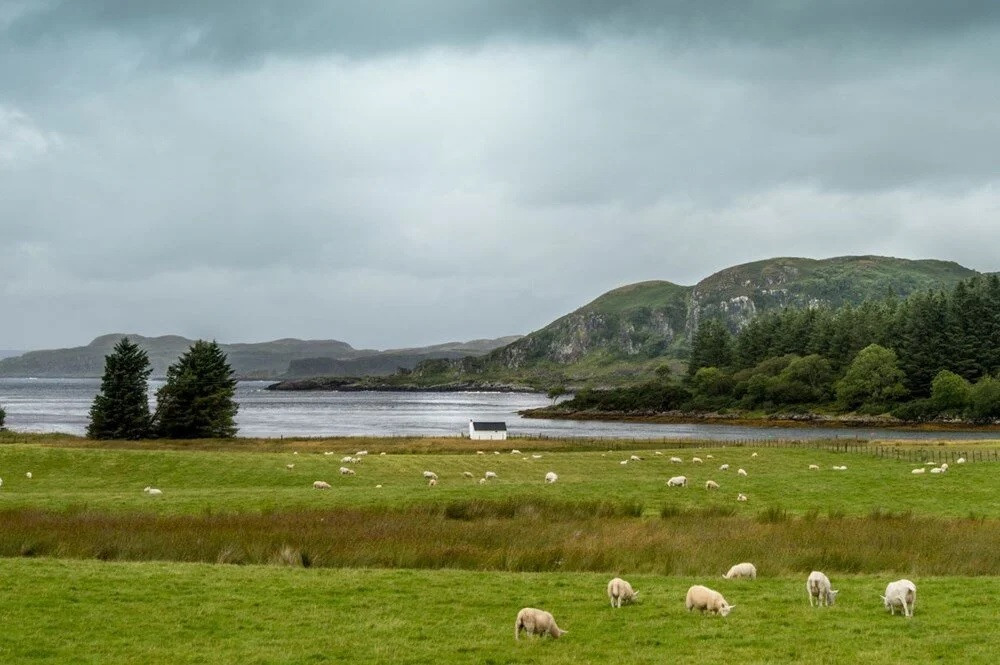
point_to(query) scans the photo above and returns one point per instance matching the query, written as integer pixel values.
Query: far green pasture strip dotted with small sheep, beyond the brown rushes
(111, 479)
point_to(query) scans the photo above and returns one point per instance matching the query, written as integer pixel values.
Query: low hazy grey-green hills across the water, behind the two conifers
(276, 359)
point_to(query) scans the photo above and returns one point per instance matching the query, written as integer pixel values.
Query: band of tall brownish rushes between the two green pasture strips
(480, 536)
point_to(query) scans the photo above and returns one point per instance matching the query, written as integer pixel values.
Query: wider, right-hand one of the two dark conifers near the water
(197, 399)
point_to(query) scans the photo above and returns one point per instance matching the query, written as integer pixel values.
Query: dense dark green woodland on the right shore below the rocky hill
(935, 355)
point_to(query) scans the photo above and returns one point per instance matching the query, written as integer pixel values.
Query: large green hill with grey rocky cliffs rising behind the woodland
(623, 335)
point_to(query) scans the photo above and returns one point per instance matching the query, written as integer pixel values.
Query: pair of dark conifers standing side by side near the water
(195, 402)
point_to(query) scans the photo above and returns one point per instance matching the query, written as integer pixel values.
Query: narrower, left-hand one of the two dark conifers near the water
(121, 409)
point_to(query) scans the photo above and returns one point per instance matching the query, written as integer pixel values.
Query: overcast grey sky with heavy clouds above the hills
(396, 173)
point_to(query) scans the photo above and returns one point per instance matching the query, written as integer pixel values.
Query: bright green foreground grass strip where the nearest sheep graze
(109, 613)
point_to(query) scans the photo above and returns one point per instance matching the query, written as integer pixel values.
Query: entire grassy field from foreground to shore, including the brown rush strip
(96, 571)
